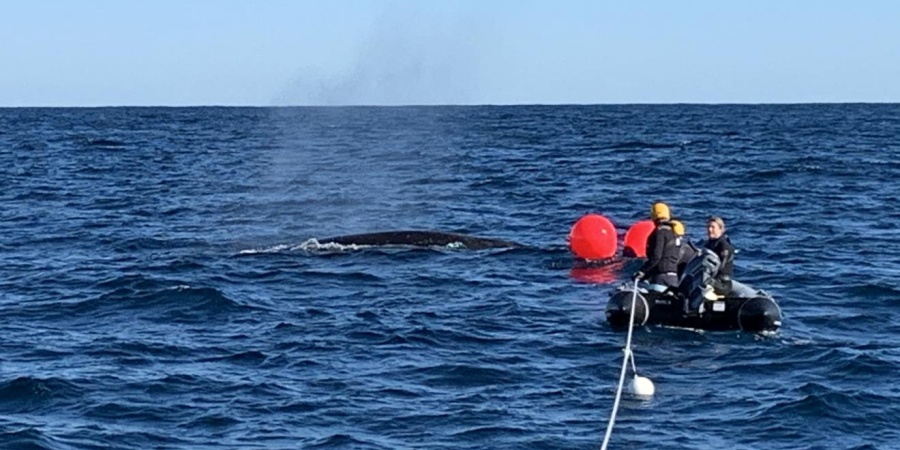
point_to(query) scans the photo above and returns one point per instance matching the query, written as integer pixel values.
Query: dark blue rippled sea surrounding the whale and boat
(159, 289)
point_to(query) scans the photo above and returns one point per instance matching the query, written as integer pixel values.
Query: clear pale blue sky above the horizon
(328, 52)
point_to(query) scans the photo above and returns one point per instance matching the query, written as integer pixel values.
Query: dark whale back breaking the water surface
(417, 238)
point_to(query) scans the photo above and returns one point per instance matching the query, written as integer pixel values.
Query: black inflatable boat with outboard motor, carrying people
(690, 305)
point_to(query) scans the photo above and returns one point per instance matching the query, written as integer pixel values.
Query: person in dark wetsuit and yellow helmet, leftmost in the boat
(661, 266)
